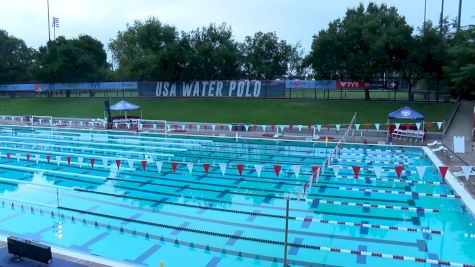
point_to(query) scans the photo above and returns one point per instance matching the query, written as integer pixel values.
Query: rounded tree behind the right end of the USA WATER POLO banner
(264, 56)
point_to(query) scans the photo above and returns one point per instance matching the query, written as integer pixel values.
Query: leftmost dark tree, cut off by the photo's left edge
(16, 59)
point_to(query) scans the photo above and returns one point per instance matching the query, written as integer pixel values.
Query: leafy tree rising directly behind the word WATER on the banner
(211, 54)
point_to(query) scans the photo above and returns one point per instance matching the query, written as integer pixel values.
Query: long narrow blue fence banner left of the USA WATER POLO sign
(40, 87)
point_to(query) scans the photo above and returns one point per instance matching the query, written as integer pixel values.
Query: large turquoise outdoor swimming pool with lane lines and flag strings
(162, 202)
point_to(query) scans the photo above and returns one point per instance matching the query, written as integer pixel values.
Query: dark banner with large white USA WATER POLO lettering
(233, 88)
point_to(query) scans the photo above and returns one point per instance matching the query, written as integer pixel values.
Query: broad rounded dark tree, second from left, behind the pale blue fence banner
(72, 60)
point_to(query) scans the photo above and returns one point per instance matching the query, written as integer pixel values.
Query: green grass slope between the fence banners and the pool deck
(269, 111)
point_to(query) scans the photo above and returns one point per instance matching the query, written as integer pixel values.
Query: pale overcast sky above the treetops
(292, 20)
